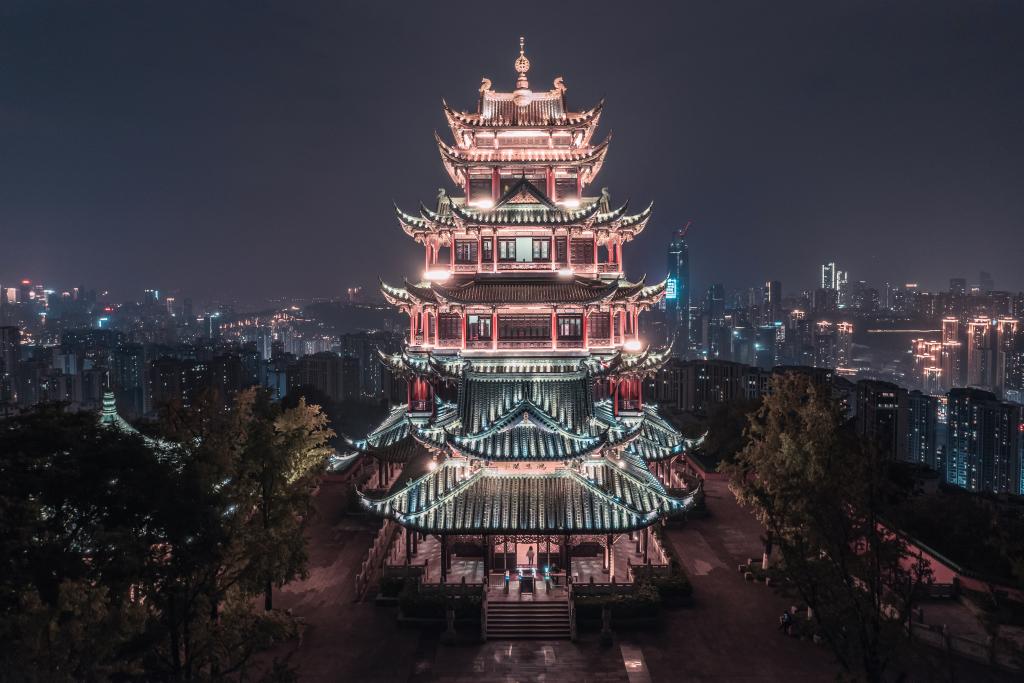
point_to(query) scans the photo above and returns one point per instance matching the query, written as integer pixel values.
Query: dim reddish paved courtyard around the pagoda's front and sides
(729, 635)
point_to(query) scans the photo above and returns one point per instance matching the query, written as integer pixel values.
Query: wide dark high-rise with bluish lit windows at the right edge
(984, 449)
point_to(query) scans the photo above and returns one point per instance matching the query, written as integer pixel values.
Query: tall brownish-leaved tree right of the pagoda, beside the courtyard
(823, 498)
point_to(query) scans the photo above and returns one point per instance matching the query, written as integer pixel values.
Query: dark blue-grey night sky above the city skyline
(253, 149)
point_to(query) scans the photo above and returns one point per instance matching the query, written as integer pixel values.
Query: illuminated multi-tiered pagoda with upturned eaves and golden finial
(525, 319)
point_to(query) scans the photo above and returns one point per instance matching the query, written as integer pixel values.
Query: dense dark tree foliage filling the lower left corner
(124, 559)
